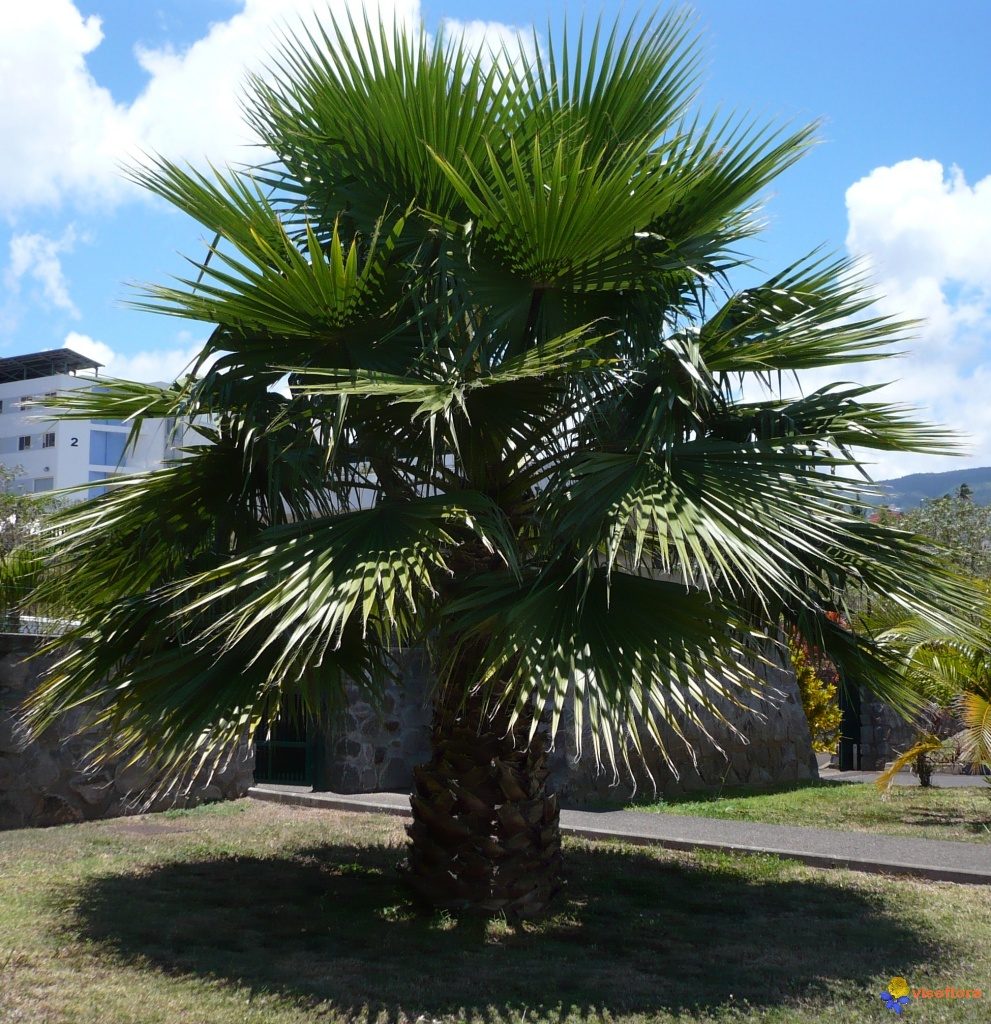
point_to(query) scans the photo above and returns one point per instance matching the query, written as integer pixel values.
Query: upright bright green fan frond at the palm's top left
(352, 110)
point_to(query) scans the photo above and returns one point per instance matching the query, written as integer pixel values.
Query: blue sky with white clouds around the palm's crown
(902, 178)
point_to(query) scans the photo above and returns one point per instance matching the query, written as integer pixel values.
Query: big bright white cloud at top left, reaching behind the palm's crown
(65, 135)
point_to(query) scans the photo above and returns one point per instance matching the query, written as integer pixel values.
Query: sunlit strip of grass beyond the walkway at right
(959, 815)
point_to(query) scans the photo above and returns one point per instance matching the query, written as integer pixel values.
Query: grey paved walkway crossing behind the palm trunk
(928, 859)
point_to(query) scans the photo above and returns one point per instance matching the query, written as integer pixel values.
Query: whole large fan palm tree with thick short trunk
(527, 424)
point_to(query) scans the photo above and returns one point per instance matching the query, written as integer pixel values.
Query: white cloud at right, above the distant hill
(924, 233)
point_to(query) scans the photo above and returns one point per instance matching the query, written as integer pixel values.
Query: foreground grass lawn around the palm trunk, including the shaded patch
(252, 913)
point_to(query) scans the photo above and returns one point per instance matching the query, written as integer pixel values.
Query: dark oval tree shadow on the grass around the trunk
(633, 933)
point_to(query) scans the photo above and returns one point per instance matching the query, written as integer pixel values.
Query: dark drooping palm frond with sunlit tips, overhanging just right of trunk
(630, 653)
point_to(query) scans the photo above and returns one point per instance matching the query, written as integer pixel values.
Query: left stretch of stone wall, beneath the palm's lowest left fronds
(42, 783)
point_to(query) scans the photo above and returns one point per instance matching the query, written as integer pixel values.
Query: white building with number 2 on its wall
(50, 454)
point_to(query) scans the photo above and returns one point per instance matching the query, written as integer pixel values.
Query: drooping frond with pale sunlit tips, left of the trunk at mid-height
(305, 583)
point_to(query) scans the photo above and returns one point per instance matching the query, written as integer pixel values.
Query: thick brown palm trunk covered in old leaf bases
(486, 835)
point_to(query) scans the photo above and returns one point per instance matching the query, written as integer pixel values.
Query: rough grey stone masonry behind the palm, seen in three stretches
(371, 750)
